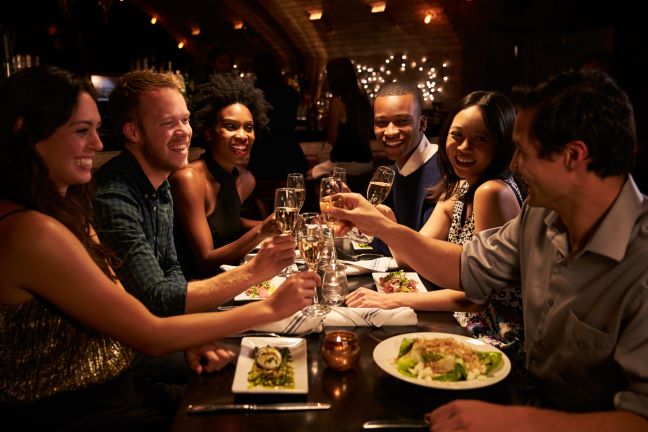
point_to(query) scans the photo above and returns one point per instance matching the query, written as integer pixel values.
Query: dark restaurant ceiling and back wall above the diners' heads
(471, 44)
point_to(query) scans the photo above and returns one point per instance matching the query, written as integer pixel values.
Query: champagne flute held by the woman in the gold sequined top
(310, 238)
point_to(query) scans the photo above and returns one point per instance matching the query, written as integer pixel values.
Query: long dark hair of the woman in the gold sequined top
(35, 103)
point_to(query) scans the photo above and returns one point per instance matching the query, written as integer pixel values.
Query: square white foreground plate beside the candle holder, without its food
(246, 359)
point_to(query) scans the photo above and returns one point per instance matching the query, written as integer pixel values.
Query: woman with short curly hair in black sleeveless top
(225, 114)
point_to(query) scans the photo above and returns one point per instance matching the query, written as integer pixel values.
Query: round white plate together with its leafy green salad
(442, 360)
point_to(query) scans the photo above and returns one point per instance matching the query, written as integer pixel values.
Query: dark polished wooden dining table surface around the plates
(363, 393)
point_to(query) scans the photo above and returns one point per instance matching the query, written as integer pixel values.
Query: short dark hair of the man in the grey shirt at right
(585, 105)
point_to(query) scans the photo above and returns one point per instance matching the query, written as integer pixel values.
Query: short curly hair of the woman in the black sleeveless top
(221, 91)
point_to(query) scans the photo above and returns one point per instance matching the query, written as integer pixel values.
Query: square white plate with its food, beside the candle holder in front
(271, 365)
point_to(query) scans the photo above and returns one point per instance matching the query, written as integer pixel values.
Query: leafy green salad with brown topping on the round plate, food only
(445, 359)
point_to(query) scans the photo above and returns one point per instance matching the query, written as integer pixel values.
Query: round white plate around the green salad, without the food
(386, 352)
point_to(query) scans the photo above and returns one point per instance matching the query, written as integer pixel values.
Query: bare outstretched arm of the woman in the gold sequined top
(71, 281)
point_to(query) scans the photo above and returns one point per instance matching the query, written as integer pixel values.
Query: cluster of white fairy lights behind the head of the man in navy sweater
(429, 78)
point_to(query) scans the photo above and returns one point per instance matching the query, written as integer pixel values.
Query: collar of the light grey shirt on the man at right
(614, 233)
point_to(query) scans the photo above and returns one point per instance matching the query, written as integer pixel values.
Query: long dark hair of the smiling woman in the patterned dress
(499, 117)
